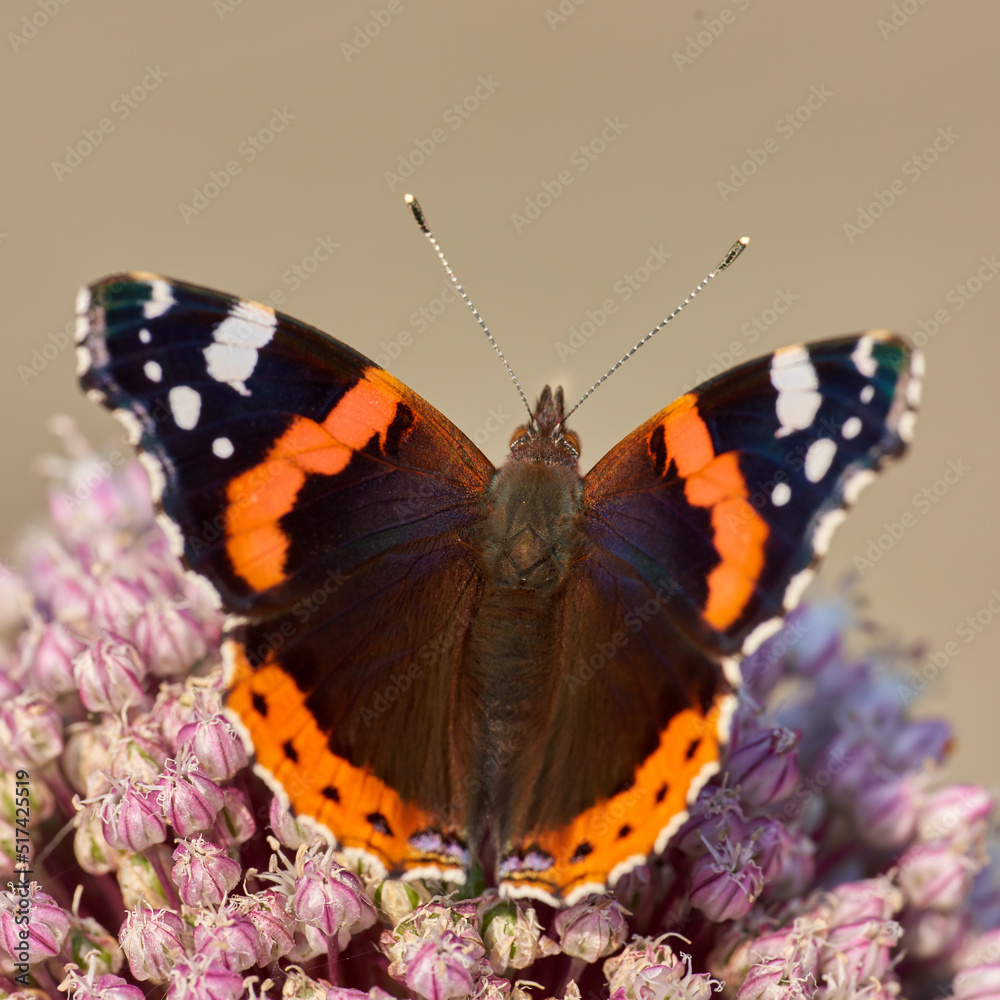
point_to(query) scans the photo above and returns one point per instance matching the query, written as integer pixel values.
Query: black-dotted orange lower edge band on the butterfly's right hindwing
(627, 826)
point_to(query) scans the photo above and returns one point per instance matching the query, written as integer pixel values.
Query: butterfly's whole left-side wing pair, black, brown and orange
(325, 502)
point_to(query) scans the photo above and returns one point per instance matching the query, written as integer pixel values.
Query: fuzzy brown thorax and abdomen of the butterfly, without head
(527, 541)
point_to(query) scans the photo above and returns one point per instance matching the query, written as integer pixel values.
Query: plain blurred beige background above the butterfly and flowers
(221, 69)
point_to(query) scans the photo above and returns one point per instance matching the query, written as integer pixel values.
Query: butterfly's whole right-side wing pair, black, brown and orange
(701, 529)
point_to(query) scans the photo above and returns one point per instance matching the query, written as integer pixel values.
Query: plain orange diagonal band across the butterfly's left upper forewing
(261, 496)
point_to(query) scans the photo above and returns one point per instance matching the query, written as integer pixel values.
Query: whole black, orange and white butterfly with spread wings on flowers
(446, 665)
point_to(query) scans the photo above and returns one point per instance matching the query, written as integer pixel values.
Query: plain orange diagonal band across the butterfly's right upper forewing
(715, 482)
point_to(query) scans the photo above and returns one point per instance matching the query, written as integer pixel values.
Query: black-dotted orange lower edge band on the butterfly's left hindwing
(351, 802)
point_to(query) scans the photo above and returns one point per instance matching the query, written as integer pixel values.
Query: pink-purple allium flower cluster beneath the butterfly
(827, 859)
